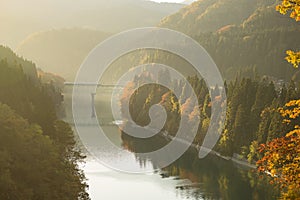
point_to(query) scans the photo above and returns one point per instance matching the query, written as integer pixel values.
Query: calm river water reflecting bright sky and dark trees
(187, 178)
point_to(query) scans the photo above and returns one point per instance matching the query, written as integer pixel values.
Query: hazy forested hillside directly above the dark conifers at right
(258, 51)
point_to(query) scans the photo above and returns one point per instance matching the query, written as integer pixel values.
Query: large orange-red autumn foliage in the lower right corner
(281, 156)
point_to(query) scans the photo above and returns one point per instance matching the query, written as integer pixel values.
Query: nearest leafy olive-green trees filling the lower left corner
(31, 165)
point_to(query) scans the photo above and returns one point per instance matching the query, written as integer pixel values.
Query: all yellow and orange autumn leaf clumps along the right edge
(281, 156)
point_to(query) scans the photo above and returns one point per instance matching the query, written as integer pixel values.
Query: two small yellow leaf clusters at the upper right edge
(292, 7)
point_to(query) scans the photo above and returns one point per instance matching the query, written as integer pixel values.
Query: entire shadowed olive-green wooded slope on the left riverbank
(38, 155)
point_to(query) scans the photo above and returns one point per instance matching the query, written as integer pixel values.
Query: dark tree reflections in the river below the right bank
(211, 177)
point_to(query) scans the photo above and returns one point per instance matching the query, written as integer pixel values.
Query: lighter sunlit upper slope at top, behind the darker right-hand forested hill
(210, 15)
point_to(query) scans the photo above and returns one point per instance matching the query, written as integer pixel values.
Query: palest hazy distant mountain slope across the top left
(18, 20)
